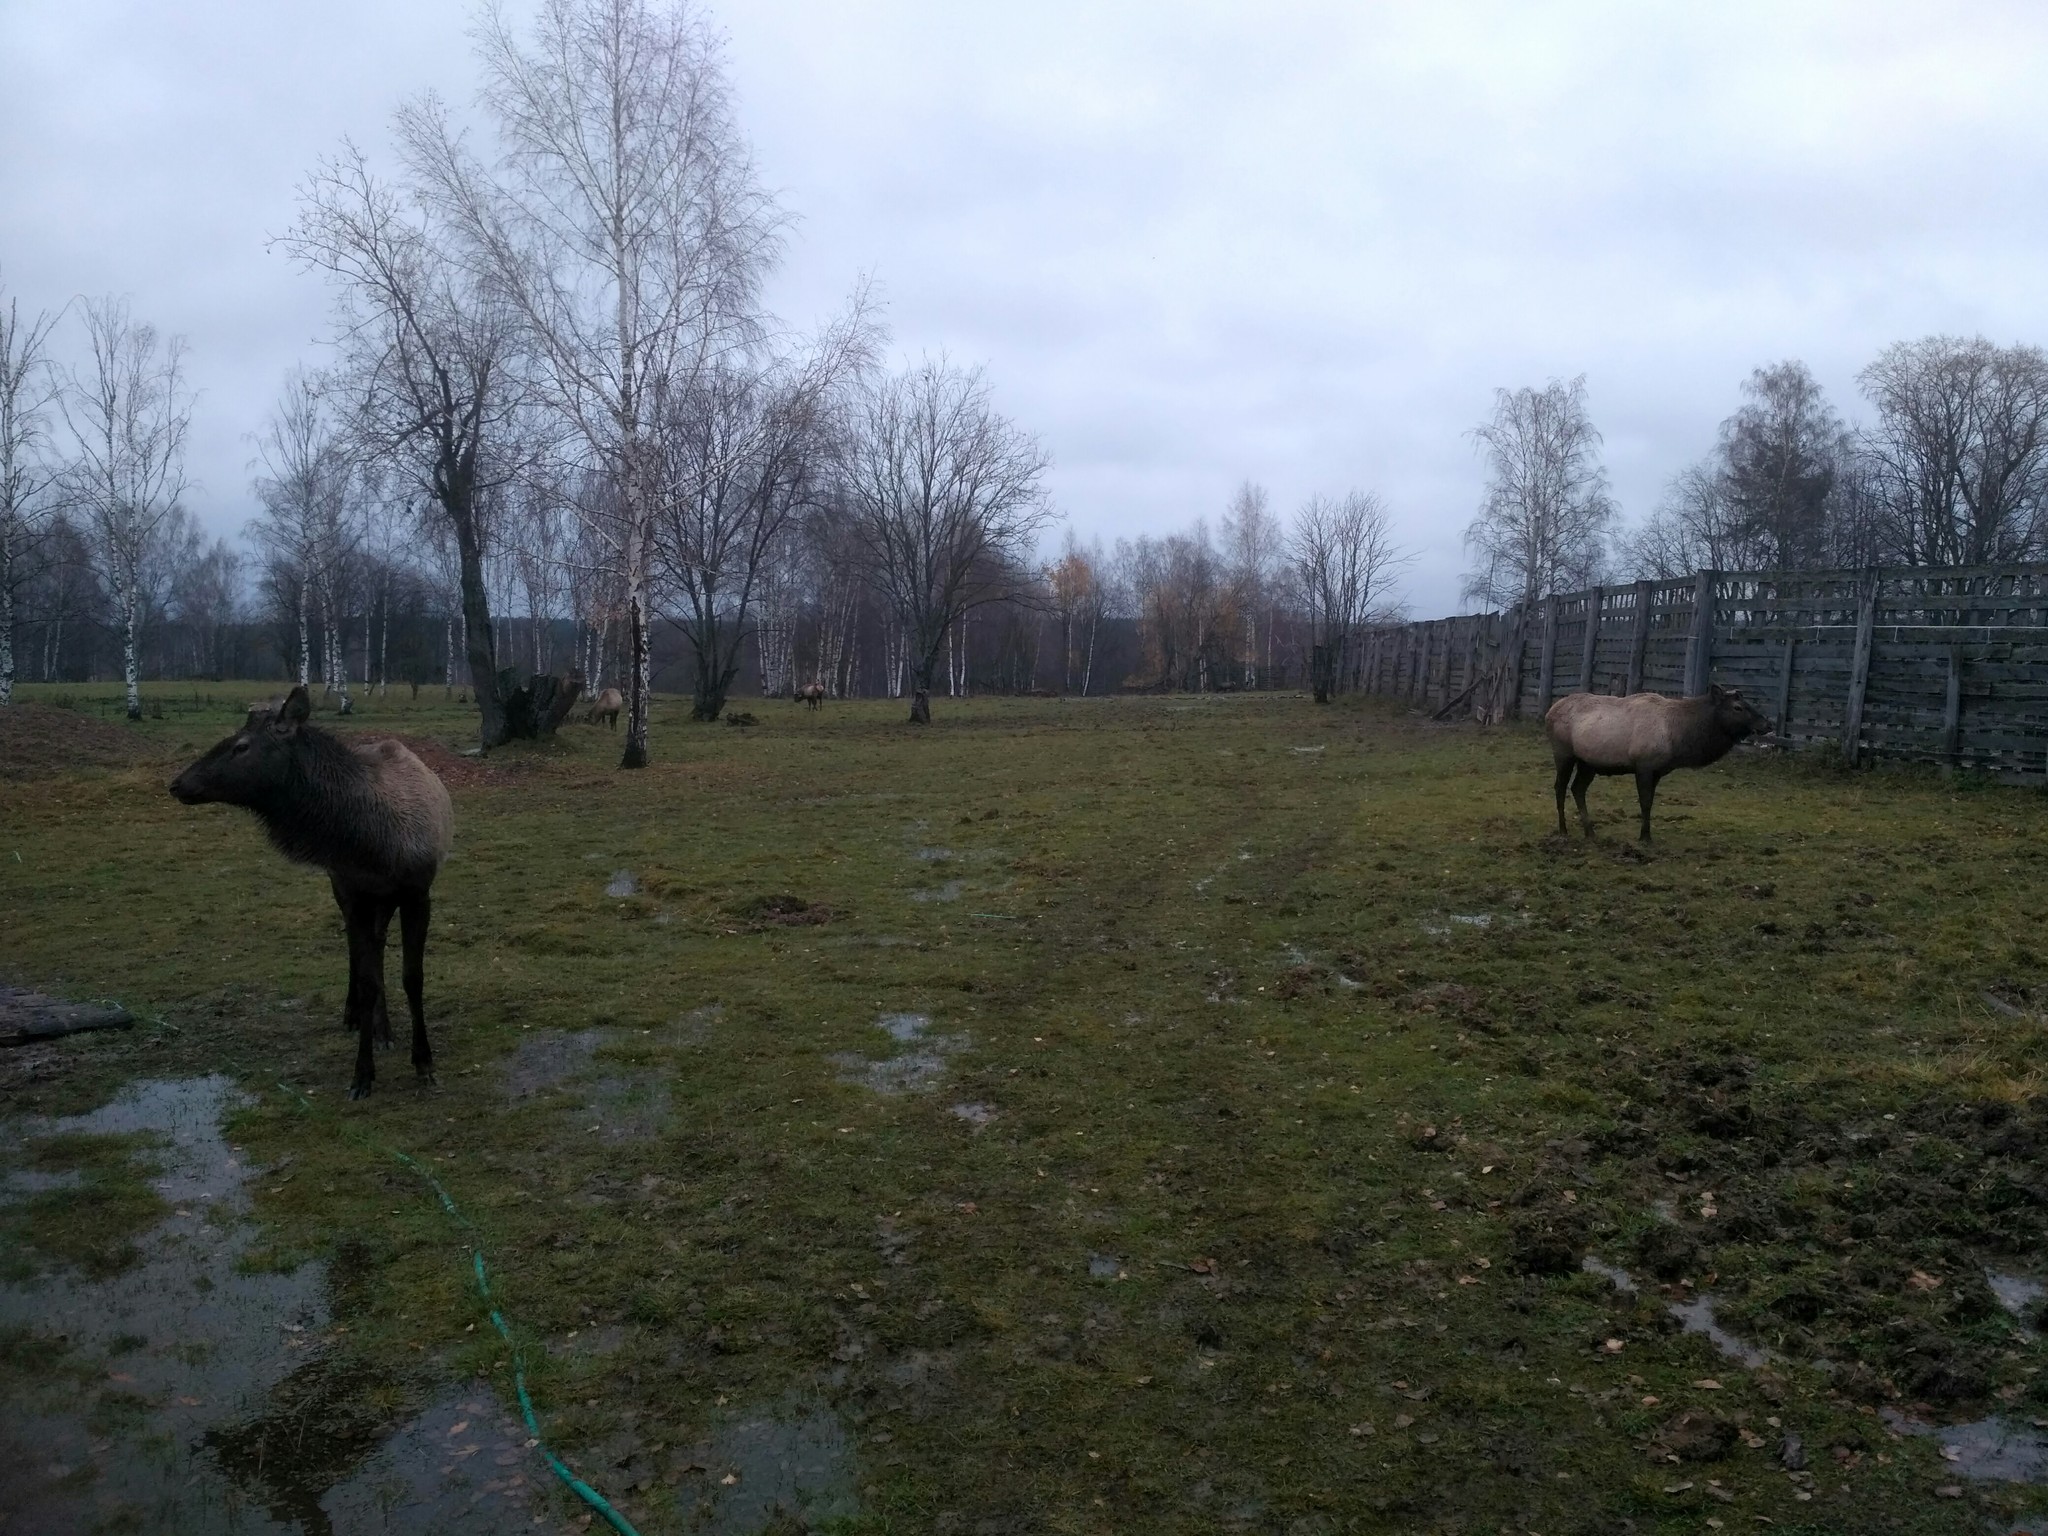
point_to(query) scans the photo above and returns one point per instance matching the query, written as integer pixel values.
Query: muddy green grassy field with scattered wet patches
(1111, 1115)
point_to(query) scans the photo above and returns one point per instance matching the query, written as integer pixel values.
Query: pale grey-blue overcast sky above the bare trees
(1193, 243)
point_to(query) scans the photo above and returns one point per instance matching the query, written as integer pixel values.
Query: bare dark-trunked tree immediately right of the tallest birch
(744, 447)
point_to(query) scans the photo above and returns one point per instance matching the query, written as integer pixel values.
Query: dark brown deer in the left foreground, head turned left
(374, 818)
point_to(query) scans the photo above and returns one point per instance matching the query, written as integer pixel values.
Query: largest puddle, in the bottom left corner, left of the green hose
(177, 1345)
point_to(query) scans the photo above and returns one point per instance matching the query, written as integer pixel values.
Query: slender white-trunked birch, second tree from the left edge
(128, 413)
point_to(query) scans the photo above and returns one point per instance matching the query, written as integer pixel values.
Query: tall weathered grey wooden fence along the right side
(1934, 665)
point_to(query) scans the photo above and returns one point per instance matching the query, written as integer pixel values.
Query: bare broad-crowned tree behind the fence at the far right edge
(1961, 450)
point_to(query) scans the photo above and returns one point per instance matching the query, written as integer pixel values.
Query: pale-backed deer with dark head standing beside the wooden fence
(1646, 736)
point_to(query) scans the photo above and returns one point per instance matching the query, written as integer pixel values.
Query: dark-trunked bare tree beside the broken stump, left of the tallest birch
(427, 368)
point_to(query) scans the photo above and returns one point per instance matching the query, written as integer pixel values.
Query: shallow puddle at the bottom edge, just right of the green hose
(769, 1474)
